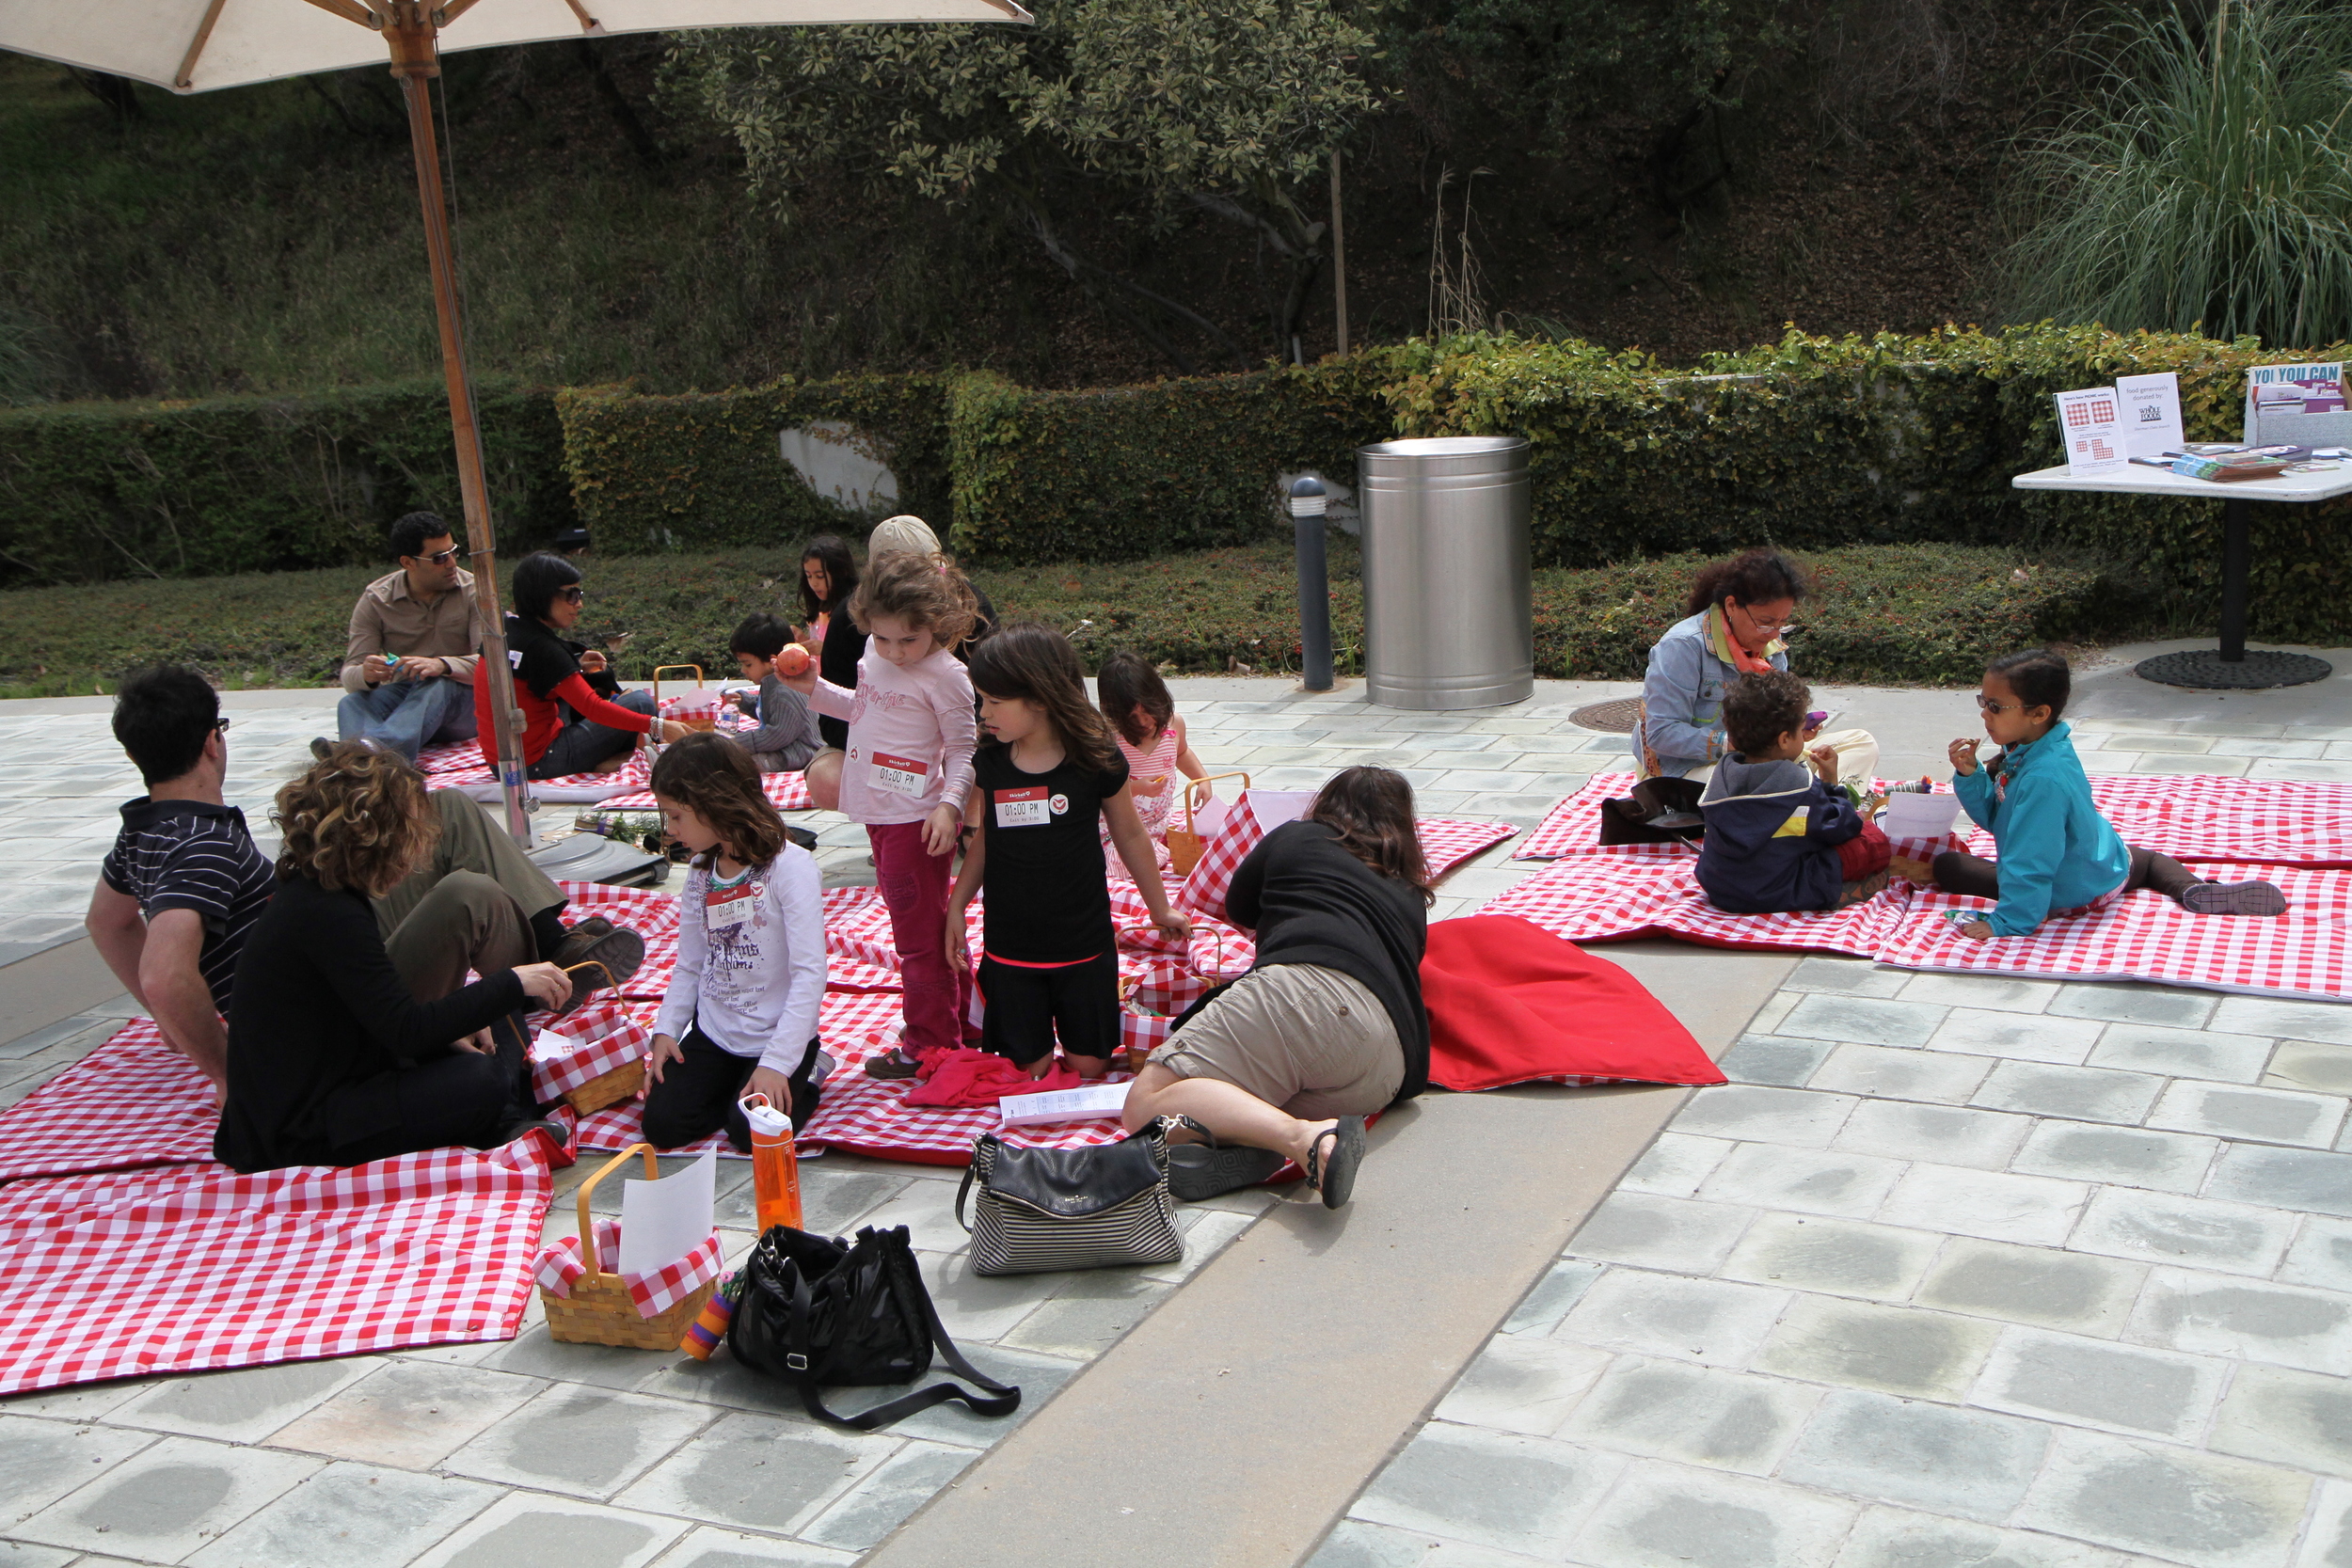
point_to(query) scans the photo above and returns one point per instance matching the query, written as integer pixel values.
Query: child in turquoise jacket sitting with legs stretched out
(2059, 855)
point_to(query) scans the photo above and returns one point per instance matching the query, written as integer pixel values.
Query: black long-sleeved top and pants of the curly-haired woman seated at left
(321, 1007)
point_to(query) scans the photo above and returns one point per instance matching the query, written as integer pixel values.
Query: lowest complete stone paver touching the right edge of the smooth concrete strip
(1490, 1489)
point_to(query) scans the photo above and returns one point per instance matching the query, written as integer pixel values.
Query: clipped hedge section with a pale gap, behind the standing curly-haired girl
(702, 469)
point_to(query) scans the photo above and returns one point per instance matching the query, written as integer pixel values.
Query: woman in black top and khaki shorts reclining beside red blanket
(1328, 1026)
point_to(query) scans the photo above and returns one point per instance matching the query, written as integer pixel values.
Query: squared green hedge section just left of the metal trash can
(1147, 469)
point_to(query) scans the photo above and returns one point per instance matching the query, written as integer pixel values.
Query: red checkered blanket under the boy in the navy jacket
(1610, 897)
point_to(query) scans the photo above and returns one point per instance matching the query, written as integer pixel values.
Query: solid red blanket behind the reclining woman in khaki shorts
(1516, 1005)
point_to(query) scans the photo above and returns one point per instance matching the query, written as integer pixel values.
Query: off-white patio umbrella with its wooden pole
(196, 46)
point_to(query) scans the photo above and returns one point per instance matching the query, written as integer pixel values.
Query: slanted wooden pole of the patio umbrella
(417, 62)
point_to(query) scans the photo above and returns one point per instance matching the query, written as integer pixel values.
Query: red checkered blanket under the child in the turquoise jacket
(2146, 937)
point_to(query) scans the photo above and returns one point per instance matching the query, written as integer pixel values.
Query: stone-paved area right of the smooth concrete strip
(1958, 1271)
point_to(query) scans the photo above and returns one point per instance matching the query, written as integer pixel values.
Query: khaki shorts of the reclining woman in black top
(1307, 1040)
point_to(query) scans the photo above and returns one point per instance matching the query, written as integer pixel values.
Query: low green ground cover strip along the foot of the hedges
(1887, 615)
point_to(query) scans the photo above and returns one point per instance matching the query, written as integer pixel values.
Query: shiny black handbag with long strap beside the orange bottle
(822, 1311)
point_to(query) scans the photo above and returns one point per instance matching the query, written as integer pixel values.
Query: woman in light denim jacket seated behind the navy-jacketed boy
(1735, 624)
